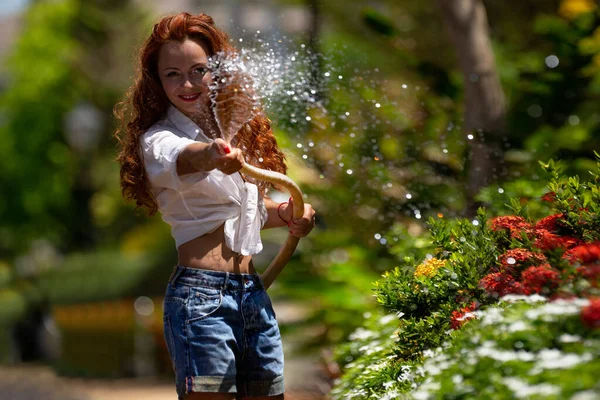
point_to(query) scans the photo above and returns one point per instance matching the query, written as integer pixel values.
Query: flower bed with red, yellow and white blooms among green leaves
(506, 307)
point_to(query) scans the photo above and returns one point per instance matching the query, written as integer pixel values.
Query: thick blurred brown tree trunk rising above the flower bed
(485, 111)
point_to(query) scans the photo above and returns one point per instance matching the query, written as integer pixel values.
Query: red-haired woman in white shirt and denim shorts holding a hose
(219, 324)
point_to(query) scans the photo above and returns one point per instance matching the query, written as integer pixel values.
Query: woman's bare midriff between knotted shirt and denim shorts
(210, 252)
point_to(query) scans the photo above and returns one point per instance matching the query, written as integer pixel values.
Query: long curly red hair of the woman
(146, 102)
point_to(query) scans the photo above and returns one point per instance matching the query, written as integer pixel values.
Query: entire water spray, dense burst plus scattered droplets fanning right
(343, 122)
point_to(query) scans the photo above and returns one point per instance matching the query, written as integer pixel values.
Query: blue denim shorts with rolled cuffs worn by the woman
(221, 334)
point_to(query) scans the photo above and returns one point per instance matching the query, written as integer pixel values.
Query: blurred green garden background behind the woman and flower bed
(395, 137)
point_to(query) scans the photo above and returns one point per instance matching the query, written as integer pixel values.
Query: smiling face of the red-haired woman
(183, 74)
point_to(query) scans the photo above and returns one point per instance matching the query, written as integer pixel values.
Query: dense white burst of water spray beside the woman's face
(266, 77)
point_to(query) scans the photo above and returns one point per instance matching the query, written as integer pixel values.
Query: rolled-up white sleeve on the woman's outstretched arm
(160, 150)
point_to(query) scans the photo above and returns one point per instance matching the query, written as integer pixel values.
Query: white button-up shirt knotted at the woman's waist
(198, 203)
